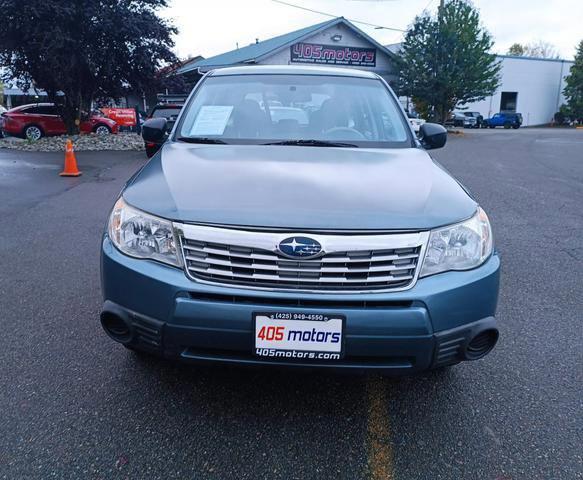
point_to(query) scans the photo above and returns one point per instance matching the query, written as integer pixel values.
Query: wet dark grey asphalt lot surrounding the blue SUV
(75, 405)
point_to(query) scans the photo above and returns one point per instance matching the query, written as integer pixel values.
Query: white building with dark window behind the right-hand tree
(530, 86)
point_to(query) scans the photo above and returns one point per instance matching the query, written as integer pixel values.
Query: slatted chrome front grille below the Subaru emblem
(347, 270)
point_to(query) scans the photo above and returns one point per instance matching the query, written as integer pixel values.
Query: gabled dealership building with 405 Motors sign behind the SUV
(336, 42)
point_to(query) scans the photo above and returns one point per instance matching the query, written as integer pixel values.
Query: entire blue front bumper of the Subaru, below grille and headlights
(427, 326)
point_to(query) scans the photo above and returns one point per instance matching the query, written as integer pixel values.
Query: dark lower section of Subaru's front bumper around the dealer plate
(387, 353)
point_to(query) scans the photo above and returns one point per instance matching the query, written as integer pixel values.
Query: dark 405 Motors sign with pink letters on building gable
(333, 55)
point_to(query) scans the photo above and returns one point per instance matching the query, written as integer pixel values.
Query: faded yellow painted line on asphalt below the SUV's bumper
(380, 454)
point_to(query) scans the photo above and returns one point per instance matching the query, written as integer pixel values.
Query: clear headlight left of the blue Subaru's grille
(142, 235)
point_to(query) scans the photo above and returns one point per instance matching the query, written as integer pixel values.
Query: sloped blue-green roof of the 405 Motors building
(257, 51)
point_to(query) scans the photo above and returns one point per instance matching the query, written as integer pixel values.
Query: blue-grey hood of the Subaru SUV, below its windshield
(295, 187)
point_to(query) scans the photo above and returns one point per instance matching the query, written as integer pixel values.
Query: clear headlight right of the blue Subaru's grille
(461, 246)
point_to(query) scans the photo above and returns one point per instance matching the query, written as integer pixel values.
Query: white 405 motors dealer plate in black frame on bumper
(298, 336)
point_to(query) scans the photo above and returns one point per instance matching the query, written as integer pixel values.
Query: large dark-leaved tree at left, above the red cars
(84, 49)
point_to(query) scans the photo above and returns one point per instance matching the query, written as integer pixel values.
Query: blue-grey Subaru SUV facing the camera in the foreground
(337, 243)
